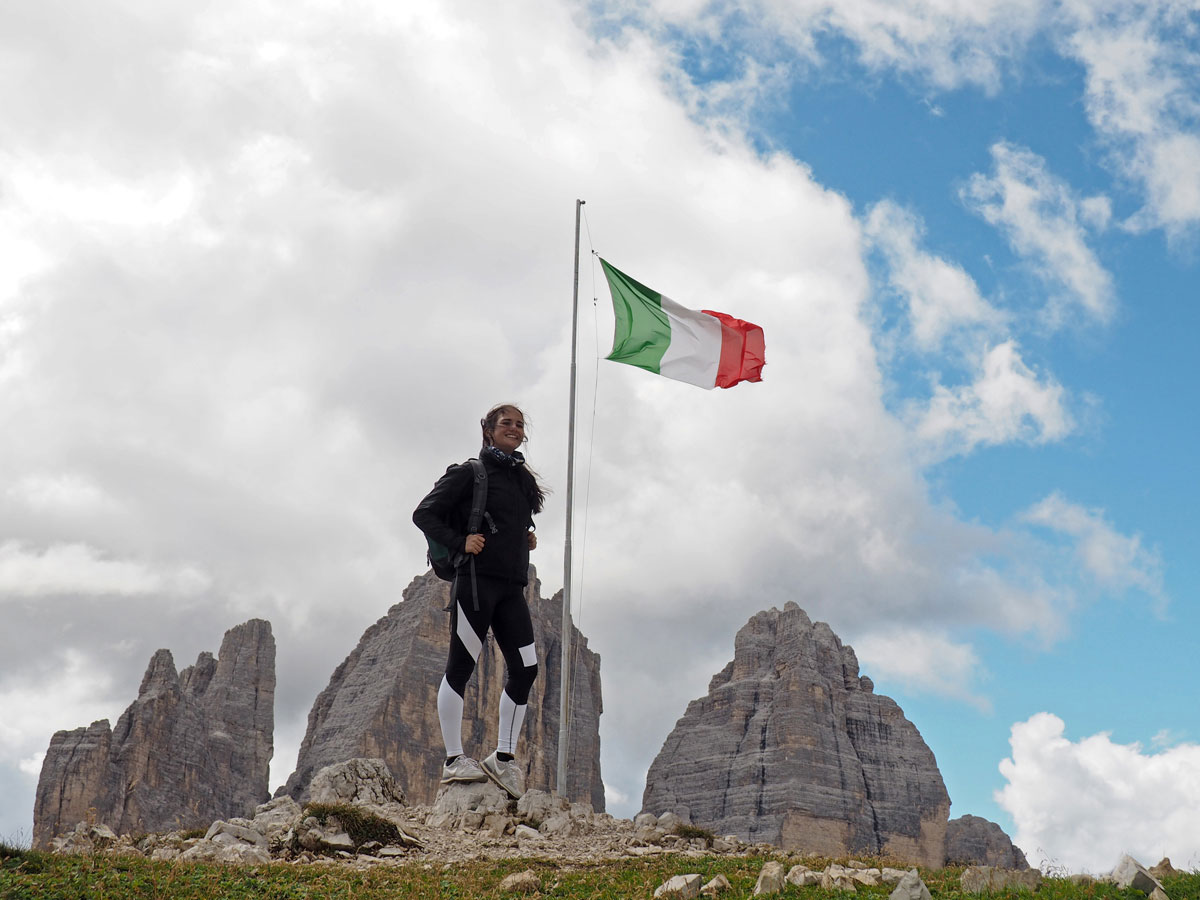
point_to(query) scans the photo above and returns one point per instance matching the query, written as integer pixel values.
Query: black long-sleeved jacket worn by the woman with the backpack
(445, 512)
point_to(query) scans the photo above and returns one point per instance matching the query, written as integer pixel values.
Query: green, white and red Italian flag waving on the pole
(705, 349)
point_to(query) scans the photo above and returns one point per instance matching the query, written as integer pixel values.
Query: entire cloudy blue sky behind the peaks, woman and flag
(263, 267)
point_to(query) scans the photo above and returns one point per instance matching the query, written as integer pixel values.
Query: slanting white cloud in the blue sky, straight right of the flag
(943, 298)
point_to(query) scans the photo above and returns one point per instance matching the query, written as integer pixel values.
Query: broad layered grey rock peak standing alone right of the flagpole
(794, 748)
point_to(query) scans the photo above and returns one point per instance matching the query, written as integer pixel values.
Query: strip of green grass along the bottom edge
(31, 875)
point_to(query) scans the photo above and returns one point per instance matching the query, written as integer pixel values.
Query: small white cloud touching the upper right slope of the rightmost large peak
(923, 661)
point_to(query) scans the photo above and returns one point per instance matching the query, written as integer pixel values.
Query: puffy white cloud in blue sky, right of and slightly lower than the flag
(1007, 403)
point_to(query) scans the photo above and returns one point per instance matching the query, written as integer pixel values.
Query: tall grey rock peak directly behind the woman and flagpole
(382, 701)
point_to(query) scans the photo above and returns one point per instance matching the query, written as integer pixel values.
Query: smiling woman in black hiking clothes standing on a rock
(495, 597)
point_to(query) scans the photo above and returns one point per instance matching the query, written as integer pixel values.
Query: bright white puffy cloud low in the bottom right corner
(1083, 805)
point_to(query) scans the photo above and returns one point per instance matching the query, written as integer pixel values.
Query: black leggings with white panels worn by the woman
(502, 608)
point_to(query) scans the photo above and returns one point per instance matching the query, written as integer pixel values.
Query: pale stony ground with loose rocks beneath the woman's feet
(358, 818)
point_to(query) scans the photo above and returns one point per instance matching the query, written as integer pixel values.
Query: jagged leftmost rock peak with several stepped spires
(194, 747)
